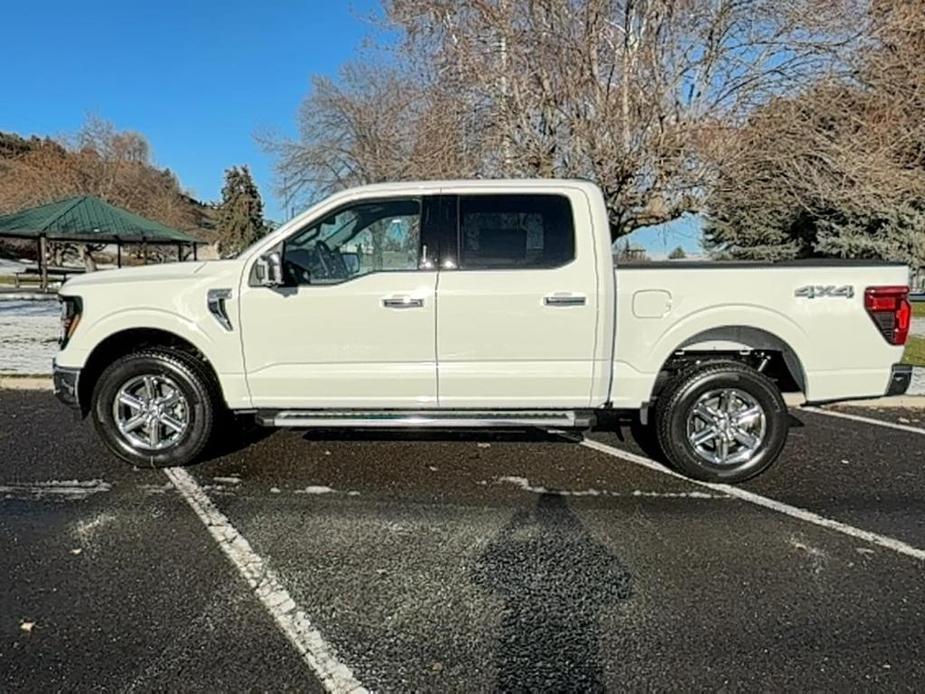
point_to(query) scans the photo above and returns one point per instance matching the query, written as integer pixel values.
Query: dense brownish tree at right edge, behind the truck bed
(840, 168)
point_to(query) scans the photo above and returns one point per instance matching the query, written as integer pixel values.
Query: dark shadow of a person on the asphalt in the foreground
(554, 579)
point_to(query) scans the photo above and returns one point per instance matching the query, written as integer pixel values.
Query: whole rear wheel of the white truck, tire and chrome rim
(721, 422)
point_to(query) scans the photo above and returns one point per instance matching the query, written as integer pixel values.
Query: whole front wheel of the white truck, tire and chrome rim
(154, 408)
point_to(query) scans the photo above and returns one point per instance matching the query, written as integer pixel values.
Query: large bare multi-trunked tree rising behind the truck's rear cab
(637, 95)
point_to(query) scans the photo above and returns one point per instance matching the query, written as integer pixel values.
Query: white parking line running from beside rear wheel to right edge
(772, 504)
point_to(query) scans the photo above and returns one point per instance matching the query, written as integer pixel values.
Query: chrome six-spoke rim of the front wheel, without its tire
(151, 412)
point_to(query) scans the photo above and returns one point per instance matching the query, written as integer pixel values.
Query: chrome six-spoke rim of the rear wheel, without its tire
(726, 426)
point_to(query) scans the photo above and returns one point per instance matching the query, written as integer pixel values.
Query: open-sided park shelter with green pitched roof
(87, 219)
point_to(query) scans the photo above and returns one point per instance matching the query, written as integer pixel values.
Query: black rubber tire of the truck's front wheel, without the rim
(201, 407)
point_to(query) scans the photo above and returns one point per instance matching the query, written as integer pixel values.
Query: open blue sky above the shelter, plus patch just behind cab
(198, 78)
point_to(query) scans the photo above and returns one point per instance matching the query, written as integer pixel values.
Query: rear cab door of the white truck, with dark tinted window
(517, 301)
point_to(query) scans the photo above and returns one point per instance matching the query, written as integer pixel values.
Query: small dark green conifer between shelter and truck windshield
(240, 215)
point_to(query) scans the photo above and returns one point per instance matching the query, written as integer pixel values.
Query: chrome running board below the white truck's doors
(429, 419)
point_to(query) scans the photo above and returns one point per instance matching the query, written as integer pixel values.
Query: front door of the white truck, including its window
(353, 326)
